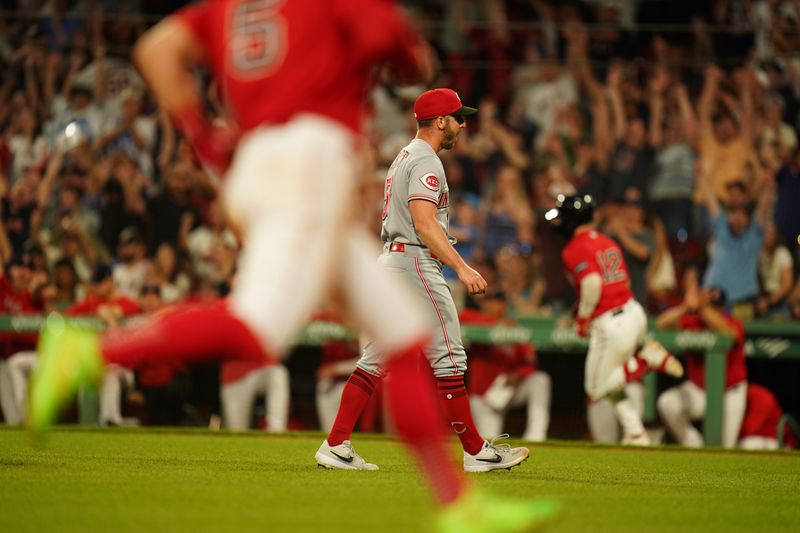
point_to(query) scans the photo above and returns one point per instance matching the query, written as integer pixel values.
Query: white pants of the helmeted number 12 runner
(614, 338)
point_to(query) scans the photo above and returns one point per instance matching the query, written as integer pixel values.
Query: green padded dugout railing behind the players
(764, 340)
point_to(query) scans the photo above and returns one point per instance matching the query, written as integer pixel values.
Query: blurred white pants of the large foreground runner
(292, 189)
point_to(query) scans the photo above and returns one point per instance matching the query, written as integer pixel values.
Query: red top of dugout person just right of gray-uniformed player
(486, 362)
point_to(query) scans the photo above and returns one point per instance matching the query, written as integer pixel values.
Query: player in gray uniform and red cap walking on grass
(416, 245)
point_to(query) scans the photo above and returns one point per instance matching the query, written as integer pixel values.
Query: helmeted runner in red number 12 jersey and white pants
(608, 314)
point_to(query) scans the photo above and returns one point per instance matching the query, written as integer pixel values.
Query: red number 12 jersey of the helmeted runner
(590, 251)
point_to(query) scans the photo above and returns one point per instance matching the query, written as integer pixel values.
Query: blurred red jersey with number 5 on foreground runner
(276, 59)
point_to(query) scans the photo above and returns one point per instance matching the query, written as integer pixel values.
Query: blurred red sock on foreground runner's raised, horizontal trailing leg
(183, 334)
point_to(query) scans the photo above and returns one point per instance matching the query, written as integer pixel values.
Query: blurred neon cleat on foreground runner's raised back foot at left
(69, 357)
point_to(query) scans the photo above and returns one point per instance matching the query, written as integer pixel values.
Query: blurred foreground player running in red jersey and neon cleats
(293, 75)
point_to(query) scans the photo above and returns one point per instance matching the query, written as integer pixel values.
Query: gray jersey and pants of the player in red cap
(417, 174)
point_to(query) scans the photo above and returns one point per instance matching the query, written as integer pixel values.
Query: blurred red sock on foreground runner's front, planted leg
(418, 420)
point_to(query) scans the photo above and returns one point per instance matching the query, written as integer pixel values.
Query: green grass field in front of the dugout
(196, 481)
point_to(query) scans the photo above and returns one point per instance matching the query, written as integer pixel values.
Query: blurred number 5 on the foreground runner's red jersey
(258, 38)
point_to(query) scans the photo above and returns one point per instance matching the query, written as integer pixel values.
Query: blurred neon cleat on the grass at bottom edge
(478, 512)
